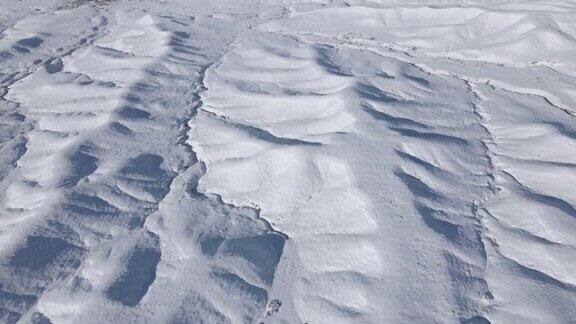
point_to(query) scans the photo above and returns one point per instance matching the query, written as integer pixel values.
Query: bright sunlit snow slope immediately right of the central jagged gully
(303, 190)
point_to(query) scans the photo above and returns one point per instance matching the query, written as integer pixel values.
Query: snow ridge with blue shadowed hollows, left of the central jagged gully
(83, 210)
